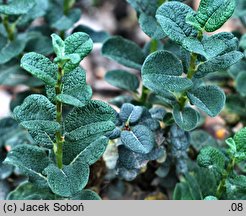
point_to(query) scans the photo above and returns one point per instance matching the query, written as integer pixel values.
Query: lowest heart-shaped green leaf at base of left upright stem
(69, 180)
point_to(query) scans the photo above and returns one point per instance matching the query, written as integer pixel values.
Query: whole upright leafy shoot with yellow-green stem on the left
(58, 161)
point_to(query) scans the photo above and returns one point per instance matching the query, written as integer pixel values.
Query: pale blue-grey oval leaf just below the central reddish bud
(140, 139)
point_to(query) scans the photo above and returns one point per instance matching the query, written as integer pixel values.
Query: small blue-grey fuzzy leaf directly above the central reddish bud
(130, 113)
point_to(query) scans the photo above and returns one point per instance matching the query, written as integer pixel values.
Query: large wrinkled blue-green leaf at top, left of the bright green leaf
(171, 17)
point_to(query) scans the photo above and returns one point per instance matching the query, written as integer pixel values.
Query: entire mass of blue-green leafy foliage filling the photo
(50, 148)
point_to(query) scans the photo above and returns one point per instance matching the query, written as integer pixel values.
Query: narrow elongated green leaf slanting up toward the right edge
(218, 63)
